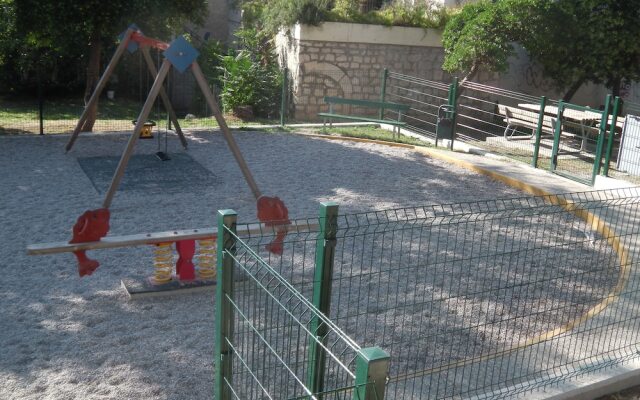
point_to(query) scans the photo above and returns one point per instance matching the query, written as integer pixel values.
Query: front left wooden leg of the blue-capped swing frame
(142, 118)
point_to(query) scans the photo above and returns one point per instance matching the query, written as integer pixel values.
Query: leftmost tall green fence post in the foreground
(224, 311)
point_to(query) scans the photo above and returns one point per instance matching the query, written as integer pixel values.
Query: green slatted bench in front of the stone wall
(378, 105)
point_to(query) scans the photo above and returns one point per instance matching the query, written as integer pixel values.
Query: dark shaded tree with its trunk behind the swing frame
(81, 30)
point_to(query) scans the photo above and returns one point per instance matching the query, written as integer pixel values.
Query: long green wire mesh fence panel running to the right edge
(491, 298)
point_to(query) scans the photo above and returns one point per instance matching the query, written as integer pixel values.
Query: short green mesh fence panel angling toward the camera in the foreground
(273, 343)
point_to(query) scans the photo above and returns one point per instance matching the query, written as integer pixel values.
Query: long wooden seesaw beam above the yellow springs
(142, 239)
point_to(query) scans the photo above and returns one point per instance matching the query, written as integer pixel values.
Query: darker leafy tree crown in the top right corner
(588, 41)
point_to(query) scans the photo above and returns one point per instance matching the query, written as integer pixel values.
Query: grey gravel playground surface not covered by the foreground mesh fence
(69, 338)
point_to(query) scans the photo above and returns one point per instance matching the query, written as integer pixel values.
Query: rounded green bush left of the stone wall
(251, 76)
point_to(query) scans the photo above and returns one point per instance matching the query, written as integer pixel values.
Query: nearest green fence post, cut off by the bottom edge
(372, 369)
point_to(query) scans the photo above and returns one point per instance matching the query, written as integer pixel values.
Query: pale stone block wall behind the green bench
(340, 66)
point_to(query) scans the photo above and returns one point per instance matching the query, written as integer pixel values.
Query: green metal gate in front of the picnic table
(578, 140)
